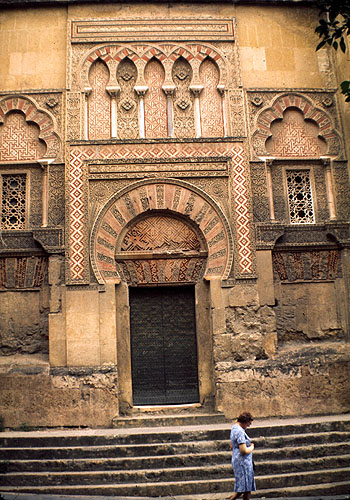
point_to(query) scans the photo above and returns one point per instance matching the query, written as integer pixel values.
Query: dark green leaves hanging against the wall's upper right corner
(333, 28)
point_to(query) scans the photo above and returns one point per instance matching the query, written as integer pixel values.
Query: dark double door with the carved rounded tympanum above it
(161, 256)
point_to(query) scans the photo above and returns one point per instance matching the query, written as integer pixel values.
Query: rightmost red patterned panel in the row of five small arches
(212, 123)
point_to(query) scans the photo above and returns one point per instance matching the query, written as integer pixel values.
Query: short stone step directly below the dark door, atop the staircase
(144, 420)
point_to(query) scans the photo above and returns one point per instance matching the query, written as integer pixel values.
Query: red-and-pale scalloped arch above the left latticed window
(34, 114)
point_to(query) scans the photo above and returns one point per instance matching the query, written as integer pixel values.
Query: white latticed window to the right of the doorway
(301, 209)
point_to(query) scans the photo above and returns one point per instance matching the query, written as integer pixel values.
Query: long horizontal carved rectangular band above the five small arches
(152, 29)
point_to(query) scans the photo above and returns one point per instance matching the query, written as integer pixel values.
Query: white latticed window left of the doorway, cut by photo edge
(13, 206)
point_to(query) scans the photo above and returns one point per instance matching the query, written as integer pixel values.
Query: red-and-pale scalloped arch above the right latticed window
(310, 112)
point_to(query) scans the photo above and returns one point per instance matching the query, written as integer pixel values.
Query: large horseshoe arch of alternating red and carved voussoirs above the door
(172, 196)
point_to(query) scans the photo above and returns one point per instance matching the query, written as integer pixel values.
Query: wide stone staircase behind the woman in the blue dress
(292, 458)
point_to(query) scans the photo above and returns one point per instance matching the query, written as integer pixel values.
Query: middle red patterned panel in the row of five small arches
(155, 101)
